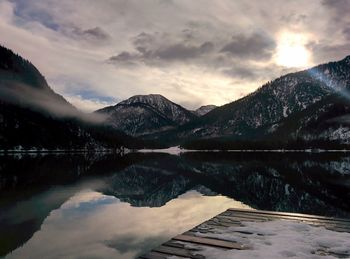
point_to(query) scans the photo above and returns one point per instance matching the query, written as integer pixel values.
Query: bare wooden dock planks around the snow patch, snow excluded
(235, 217)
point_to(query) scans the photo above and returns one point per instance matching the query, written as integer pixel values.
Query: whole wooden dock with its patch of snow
(239, 233)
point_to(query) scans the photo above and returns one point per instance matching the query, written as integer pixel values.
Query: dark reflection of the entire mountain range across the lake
(31, 187)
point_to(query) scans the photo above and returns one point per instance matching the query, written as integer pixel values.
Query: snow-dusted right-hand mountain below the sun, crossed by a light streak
(246, 118)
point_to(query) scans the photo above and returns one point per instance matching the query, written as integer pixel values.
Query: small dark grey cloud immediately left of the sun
(257, 46)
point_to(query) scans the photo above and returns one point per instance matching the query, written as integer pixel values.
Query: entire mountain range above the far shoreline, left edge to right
(304, 109)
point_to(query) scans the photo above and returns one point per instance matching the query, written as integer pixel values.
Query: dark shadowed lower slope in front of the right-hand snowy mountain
(325, 121)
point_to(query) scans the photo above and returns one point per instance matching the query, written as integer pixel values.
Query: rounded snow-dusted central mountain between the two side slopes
(146, 114)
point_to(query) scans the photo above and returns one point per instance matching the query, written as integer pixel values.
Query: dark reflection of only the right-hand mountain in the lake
(278, 182)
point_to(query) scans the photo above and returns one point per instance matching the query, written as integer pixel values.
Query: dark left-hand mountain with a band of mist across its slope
(33, 116)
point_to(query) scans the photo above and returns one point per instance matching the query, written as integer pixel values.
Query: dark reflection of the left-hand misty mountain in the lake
(31, 186)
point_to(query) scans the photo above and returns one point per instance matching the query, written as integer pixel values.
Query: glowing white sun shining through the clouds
(291, 51)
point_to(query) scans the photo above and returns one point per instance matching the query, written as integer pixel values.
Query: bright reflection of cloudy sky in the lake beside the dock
(91, 224)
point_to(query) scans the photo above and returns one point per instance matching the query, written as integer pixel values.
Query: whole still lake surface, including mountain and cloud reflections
(109, 206)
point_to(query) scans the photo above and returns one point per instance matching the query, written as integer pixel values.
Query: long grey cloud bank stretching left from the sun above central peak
(158, 49)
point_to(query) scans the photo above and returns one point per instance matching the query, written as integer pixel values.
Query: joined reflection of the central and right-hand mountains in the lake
(273, 182)
